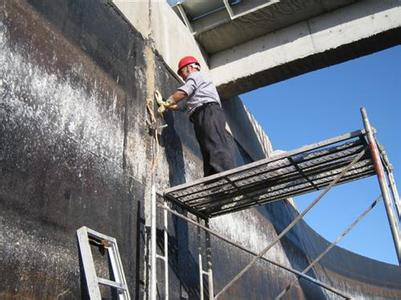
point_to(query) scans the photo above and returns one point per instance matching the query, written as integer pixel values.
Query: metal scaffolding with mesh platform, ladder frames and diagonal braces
(348, 157)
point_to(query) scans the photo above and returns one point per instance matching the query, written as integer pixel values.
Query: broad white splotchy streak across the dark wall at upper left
(61, 107)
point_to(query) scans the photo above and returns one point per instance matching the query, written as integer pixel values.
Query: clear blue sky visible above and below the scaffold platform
(326, 103)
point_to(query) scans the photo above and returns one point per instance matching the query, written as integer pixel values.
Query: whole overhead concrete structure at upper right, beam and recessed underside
(251, 44)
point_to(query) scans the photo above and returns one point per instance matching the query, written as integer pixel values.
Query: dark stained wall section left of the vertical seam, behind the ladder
(66, 90)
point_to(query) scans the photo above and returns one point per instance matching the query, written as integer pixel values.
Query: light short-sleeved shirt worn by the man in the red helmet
(200, 90)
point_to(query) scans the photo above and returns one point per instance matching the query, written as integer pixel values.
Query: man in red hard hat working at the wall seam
(206, 114)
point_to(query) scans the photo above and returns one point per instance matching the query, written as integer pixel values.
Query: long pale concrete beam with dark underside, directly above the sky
(346, 33)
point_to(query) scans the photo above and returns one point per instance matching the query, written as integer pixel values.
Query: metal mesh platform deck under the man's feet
(288, 174)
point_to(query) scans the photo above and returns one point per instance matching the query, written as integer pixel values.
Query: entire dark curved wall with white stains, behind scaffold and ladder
(76, 150)
